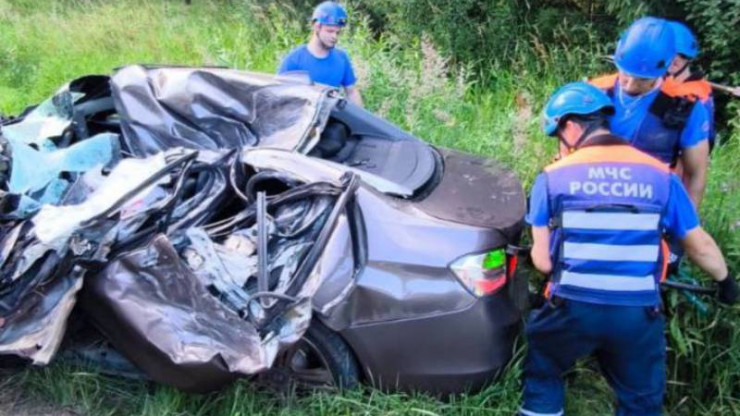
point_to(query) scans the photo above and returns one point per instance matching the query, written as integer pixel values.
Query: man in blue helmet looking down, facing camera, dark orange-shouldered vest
(659, 120)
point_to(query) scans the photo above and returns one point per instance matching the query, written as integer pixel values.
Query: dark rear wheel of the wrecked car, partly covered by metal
(321, 360)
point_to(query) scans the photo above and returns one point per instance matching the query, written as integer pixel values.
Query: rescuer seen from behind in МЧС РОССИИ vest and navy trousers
(597, 218)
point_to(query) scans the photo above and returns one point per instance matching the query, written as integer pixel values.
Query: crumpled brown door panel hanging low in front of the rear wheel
(156, 311)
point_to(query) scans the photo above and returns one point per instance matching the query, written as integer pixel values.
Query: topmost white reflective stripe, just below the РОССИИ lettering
(610, 220)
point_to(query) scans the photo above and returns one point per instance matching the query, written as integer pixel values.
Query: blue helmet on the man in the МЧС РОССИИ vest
(578, 98)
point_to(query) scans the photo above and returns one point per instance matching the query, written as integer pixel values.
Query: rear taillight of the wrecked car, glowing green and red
(483, 274)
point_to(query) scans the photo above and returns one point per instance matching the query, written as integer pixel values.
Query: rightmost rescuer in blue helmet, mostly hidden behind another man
(686, 80)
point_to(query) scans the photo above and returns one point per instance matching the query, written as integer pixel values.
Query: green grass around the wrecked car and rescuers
(44, 44)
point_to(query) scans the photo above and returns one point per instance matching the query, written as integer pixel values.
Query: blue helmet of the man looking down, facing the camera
(646, 48)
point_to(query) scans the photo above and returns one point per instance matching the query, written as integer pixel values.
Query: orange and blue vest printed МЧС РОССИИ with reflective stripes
(607, 201)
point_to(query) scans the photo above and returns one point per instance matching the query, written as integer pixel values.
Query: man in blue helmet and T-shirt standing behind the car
(324, 62)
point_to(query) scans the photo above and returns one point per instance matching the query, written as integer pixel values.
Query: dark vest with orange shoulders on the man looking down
(659, 133)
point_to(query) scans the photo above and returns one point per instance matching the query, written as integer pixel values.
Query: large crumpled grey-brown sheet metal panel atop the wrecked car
(213, 108)
